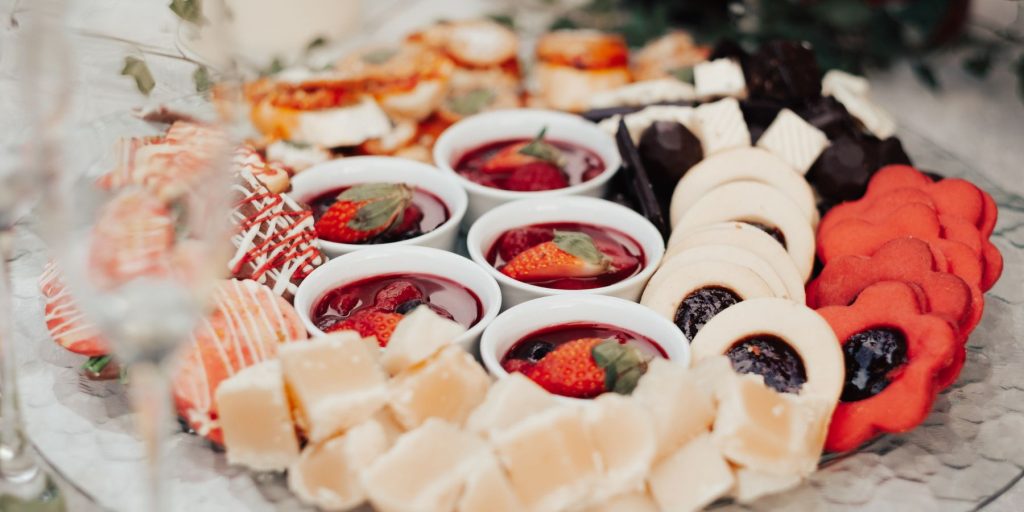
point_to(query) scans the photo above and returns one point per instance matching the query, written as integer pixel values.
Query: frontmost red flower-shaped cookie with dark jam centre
(893, 352)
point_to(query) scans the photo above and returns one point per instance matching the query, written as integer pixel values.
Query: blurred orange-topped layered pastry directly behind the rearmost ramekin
(574, 65)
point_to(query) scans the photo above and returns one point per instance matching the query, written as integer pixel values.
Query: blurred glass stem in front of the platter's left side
(151, 397)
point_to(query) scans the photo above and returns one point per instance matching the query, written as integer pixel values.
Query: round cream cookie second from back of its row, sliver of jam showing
(759, 205)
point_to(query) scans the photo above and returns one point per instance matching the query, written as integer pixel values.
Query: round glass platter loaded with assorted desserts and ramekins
(653, 279)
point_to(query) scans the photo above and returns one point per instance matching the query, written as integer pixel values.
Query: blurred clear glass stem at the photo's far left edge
(17, 463)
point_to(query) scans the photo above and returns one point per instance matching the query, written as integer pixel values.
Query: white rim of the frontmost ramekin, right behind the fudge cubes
(538, 315)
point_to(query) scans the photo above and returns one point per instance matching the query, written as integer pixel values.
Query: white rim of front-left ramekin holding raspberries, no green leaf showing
(381, 261)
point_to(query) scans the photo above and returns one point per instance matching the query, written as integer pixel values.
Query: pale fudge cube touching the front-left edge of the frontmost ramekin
(509, 401)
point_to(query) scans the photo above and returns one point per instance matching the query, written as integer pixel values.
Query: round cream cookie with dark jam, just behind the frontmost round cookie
(693, 294)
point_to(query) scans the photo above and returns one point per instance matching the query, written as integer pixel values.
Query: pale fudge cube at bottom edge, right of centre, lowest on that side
(692, 479)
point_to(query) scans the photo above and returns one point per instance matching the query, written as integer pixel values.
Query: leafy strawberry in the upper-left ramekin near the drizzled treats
(363, 212)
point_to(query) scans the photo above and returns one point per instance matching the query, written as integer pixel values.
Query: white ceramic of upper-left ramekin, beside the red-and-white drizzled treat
(355, 170)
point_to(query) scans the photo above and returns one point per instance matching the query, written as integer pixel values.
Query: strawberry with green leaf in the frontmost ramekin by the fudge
(589, 367)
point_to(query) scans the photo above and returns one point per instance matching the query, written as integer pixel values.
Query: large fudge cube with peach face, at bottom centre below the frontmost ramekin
(549, 458)
